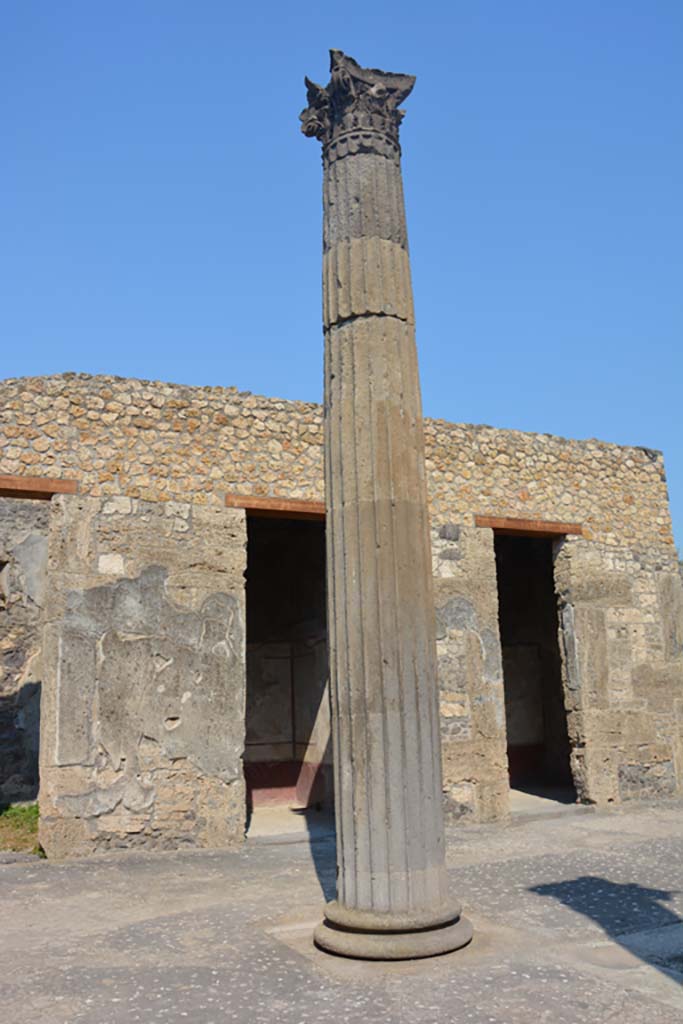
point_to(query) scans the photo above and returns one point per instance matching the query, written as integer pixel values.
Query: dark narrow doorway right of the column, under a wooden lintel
(536, 716)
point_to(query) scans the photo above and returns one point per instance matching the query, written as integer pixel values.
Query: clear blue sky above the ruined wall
(161, 214)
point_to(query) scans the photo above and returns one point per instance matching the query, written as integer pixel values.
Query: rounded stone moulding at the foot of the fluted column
(385, 944)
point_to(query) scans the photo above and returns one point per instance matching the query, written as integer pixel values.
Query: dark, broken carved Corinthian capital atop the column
(357, 100)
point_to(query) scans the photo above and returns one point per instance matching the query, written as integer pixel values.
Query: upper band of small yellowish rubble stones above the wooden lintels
(162, 442)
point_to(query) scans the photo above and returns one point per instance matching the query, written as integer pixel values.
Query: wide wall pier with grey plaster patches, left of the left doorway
(143, 724)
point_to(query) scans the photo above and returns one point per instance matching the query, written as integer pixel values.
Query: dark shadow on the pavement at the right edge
(616, 907)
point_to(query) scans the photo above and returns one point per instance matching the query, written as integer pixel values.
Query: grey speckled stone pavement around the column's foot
(579, 919)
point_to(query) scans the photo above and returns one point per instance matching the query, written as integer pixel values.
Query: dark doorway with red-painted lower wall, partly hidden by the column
(288, 717)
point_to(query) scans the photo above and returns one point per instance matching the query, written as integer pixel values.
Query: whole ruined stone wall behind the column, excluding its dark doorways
(177, 453)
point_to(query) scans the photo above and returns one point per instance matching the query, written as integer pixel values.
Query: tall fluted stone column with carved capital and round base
(393, 900)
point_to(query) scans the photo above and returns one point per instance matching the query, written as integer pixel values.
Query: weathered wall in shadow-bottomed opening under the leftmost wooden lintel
(23, 566)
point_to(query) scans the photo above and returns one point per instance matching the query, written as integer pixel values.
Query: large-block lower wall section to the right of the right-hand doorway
(622, 633)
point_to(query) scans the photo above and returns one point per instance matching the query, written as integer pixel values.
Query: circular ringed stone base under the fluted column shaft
(365, 935)
